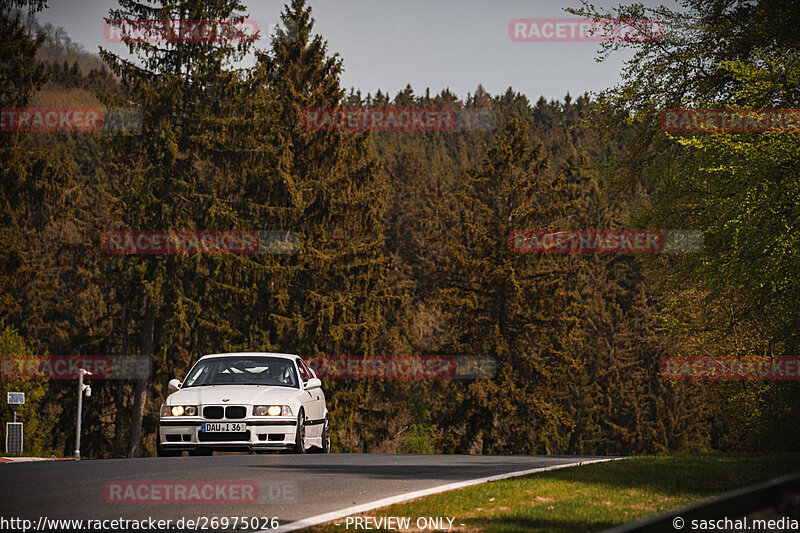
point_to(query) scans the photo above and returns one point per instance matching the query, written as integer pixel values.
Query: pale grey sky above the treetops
(436, 44)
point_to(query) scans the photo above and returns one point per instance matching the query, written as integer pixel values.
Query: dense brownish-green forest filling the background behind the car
(403, 245)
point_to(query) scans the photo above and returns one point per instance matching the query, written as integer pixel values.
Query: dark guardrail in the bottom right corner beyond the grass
(781, 495)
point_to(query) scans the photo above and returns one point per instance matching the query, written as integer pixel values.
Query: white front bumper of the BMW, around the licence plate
(261, 435)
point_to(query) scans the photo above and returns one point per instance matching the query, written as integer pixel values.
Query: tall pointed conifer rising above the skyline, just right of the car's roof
(337, 298)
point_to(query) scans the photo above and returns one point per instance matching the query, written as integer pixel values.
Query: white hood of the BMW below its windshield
(235, 394)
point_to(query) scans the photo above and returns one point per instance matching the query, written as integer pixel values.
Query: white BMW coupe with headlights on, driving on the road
(245, 402)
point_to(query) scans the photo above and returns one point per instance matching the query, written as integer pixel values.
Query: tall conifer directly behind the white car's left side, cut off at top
(171, 176)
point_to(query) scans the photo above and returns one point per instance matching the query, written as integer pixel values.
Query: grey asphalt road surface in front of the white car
(288, 487)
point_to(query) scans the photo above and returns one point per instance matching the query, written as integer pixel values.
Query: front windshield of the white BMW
(242, 371)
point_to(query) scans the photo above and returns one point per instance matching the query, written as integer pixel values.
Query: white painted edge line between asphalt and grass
(400, 498)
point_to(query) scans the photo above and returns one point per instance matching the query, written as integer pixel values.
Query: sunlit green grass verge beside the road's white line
(590, 497)
